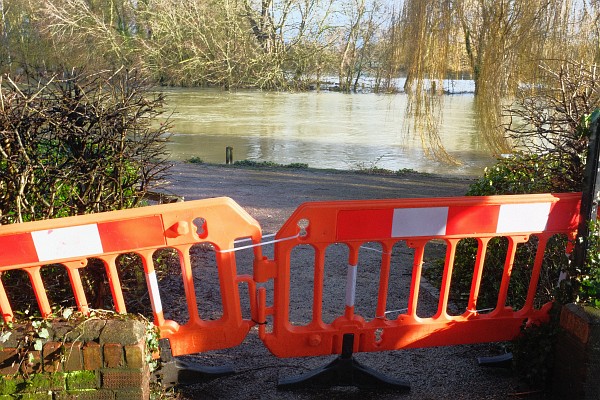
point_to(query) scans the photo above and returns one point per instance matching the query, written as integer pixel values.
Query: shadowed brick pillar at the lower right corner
(577, 361)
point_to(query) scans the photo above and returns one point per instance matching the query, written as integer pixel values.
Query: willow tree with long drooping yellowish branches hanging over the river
(500, 44)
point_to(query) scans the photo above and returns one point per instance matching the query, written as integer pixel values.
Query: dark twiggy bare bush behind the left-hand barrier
(77, 143)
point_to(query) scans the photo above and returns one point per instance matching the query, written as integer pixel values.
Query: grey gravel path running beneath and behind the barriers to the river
(270, 196)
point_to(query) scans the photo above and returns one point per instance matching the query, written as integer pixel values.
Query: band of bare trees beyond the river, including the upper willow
(292, 44)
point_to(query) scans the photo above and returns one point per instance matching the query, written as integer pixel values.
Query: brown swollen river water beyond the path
(322, 129)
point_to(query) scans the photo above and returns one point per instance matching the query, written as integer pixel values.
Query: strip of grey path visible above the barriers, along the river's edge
(271, 194)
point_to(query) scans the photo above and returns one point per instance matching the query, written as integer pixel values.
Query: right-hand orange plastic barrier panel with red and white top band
(415, 221)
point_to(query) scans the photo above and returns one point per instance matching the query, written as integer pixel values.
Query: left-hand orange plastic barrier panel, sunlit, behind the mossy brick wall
(71, 241)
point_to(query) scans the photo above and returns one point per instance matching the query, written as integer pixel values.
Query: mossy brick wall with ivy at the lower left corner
(109, 363)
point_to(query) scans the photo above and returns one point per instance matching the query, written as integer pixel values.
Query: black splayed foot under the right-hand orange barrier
(343, 371)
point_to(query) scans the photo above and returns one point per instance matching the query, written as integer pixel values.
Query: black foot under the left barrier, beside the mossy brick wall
(177, 372)
